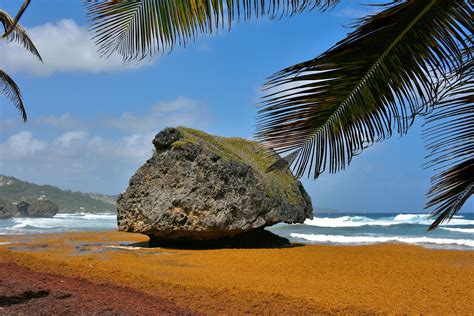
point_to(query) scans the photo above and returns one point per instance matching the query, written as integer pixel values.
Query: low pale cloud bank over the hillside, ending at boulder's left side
(75, 160)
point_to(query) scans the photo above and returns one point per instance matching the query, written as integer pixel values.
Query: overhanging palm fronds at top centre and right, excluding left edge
(413, 58)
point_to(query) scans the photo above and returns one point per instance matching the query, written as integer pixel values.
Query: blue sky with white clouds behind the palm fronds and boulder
(91, 120)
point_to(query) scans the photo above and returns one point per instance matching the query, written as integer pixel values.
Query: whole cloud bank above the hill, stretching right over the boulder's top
(98, 155)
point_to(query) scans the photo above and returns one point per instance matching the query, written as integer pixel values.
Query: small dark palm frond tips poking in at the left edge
(14, 32)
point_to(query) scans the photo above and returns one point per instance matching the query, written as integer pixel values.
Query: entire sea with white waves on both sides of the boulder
(335, 229)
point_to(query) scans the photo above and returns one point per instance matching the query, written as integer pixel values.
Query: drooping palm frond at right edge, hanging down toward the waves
(450, 142)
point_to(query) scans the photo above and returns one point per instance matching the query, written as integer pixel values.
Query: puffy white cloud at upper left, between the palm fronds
(65, 47)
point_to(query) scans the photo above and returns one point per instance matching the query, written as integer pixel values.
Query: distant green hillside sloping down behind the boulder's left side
(13, 190)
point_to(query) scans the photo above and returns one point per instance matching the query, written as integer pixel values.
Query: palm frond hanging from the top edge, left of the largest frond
(137, 29)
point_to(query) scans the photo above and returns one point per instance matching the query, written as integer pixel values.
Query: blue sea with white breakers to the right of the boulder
(371, 228)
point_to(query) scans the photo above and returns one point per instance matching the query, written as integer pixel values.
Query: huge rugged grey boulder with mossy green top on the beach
(202, 187)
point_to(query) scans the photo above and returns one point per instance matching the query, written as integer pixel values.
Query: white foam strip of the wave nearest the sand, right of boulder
(381, 239)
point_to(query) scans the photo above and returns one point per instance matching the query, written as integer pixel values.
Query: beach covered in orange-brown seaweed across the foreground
(377, 279)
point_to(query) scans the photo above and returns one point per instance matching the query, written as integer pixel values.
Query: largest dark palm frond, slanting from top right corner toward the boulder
(376, 80)
